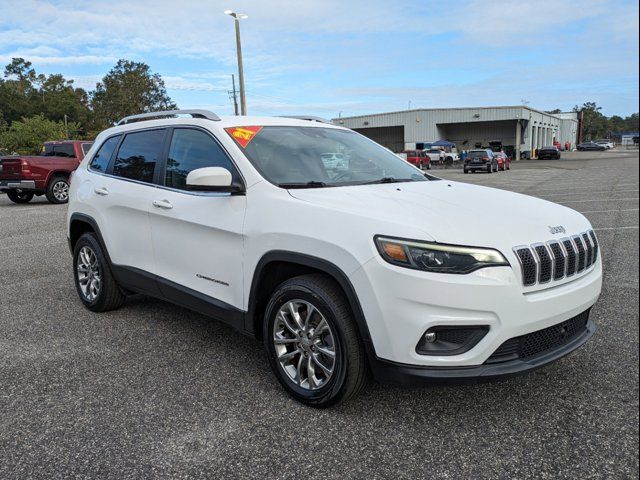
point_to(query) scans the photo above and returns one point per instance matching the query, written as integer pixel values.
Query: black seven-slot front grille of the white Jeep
(557, 259)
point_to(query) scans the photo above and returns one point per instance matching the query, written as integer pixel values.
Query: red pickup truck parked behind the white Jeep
(22, 177)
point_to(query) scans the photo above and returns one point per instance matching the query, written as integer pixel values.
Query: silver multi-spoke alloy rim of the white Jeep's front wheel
(304, 344)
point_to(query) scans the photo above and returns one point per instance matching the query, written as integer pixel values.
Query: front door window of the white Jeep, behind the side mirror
(191, 149)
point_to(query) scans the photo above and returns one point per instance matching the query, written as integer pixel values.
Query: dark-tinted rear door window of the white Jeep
(138, 155)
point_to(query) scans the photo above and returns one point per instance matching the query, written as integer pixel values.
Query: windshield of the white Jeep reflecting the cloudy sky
(305, 157)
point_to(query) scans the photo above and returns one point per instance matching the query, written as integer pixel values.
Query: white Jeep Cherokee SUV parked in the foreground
(338, 273)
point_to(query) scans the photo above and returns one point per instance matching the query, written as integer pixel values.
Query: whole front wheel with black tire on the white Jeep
(312, 342)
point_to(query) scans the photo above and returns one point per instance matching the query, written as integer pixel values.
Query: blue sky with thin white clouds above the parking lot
(329, 56)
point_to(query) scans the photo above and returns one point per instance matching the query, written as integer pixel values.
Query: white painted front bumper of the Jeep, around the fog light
(400, 305)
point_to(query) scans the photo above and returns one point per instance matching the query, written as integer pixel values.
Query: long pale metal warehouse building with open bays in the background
(520, 127)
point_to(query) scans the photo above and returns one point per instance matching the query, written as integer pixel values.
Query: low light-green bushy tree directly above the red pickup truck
(25, 136)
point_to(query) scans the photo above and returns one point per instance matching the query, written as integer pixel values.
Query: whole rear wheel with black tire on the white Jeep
(95, 284)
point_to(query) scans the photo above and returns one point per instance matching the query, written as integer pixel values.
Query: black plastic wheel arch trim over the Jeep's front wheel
(279, 265)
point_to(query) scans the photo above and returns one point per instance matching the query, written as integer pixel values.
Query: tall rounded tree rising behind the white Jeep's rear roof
(129, 88)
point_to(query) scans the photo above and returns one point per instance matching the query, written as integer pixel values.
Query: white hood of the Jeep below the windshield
(450, 212)
